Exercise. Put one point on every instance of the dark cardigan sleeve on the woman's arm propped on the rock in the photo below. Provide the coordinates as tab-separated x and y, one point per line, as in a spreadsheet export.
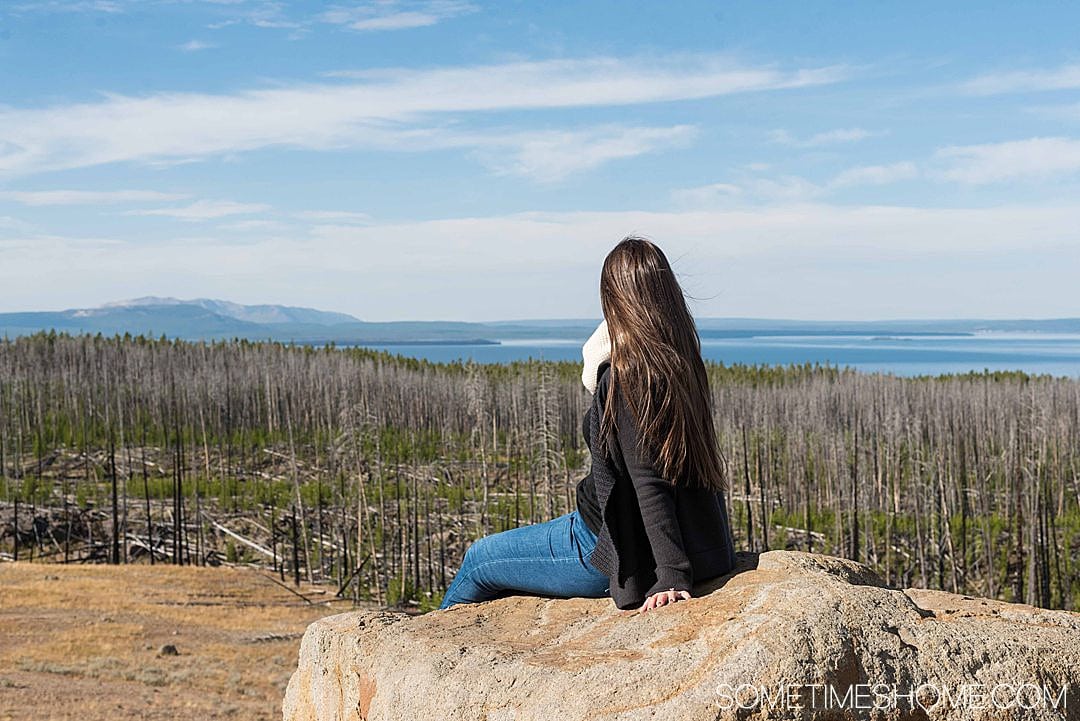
656	498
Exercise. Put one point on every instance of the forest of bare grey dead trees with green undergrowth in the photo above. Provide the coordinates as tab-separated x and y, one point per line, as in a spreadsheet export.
372	473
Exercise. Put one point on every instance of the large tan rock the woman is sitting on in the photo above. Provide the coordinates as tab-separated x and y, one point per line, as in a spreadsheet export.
784	619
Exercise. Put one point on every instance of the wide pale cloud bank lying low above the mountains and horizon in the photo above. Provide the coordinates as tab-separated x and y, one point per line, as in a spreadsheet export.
794	259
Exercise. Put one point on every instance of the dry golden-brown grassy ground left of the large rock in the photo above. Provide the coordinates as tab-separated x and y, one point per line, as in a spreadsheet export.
84	642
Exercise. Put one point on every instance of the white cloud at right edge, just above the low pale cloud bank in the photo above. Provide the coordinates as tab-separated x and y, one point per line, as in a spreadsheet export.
1034	159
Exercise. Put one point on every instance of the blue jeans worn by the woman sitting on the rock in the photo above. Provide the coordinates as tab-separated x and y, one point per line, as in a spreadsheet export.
541	560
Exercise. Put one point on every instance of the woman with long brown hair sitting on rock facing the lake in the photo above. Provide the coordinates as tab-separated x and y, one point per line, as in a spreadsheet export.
651	519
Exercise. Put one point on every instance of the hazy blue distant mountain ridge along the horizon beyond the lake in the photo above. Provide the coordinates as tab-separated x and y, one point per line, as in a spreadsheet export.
206	319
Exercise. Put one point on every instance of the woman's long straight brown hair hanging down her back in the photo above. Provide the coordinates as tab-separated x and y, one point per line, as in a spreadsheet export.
657	365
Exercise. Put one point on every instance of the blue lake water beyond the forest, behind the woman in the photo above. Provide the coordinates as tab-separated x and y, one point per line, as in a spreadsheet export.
1058	355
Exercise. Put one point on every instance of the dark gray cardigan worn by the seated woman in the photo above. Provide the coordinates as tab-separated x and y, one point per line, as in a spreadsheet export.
656	535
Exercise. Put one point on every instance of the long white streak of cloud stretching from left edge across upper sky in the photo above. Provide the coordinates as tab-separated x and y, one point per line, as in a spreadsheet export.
371	113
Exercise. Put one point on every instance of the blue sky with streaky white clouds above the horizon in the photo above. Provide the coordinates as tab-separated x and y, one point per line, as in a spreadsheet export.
477	161
